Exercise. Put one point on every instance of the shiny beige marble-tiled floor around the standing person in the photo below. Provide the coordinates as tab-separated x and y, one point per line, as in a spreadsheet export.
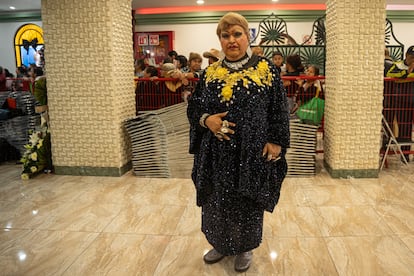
79	225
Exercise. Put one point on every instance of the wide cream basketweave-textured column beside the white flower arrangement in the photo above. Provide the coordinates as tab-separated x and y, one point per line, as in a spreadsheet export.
89	69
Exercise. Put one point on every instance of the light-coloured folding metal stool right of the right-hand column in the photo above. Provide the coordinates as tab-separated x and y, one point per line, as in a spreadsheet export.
393	143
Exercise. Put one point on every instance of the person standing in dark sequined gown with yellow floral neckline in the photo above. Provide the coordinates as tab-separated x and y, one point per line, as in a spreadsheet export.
239	132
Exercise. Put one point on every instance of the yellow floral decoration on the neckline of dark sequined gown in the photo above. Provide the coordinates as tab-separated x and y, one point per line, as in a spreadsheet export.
260	75
